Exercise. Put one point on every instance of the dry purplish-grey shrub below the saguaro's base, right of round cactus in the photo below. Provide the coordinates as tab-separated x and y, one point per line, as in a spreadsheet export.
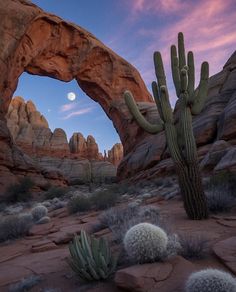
193	246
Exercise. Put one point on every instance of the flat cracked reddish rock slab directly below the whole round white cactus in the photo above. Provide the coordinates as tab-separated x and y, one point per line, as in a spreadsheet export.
162	277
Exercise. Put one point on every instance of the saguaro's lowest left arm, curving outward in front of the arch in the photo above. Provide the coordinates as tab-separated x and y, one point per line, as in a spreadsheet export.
143	123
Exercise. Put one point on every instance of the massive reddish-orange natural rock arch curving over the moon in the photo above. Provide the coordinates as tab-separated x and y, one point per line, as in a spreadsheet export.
43	44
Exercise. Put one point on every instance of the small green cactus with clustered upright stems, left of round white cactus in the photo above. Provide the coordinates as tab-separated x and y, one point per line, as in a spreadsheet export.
91	258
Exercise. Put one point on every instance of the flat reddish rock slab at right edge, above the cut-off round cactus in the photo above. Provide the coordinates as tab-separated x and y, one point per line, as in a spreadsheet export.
226	251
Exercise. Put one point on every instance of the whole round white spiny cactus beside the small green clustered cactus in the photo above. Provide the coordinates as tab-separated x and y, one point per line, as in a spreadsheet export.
145	242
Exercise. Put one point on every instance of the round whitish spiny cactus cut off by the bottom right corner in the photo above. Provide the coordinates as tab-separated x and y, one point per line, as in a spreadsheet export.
211	280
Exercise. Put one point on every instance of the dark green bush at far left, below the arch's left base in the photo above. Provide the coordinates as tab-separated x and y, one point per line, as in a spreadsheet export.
20	192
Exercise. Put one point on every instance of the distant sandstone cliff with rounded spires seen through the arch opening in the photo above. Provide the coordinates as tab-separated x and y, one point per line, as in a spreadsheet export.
77	162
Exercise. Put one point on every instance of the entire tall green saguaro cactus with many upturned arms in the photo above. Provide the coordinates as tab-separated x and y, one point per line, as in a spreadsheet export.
179	135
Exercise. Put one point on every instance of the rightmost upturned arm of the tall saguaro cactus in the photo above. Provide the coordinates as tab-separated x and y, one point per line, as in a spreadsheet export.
199	100
